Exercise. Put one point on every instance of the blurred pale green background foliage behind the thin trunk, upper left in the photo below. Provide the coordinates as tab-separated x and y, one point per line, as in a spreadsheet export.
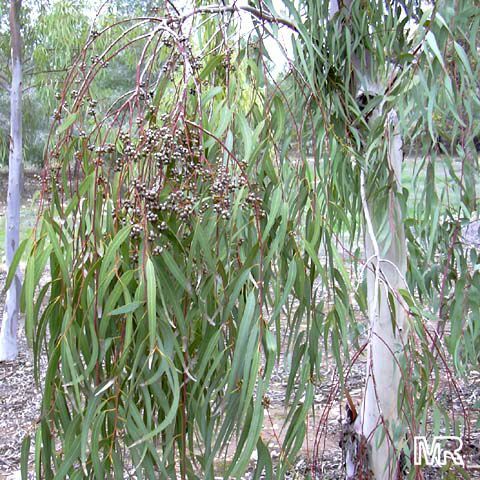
53	33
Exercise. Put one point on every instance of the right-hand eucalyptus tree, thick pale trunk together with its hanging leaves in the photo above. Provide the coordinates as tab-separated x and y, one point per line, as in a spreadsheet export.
362	64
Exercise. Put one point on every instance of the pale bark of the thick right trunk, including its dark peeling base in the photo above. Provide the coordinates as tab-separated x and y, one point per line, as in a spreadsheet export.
369	438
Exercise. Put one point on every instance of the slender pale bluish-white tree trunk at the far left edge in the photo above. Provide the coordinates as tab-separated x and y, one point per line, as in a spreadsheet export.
8	332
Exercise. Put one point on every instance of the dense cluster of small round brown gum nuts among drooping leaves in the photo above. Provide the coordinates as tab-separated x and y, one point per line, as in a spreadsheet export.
193	185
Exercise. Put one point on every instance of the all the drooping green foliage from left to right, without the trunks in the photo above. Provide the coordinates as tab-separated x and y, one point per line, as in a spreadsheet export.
211	217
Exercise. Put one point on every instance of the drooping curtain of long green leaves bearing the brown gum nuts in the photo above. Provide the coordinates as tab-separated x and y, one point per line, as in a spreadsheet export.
157	320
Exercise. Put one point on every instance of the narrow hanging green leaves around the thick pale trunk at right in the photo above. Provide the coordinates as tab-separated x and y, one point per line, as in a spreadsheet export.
419	63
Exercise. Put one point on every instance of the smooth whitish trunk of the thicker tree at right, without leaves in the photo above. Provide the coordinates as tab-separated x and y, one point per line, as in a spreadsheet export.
379	415
